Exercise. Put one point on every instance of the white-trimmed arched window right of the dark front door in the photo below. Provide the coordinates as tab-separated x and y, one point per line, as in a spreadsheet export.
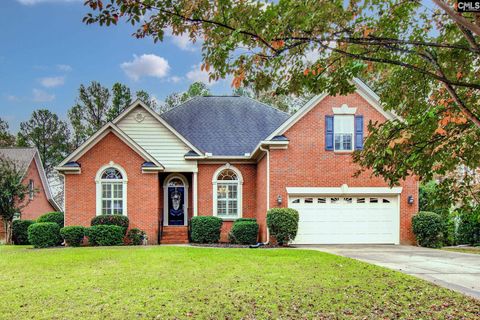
227	190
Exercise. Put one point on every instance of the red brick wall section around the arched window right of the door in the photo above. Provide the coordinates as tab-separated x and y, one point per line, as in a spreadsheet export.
205	192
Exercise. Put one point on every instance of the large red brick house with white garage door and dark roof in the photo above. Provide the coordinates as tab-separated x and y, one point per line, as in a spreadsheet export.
235	157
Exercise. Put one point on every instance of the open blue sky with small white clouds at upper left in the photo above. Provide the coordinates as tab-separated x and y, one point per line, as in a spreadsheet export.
46	52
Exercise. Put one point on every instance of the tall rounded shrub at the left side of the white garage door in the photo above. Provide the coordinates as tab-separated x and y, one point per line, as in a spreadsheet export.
283	224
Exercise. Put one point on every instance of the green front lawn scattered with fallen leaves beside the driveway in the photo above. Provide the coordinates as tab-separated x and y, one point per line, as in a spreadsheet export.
161	282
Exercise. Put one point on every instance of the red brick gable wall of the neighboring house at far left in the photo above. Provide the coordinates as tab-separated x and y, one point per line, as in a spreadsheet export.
39	205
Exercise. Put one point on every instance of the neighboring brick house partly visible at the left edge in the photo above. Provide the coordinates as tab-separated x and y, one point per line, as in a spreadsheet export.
40	198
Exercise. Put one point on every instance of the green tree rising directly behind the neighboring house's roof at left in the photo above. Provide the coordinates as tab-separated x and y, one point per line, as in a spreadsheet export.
48	134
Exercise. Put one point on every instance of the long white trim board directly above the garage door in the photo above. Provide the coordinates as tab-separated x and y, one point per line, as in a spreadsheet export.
305	191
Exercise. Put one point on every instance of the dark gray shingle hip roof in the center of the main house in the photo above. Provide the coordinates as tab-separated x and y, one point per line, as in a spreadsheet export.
225	125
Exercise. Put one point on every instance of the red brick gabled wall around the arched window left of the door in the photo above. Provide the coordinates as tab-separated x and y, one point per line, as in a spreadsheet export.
143	189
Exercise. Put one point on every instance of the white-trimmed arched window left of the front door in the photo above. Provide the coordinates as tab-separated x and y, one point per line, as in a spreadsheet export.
111	190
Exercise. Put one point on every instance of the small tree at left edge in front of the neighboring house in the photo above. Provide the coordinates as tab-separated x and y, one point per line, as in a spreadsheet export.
13	194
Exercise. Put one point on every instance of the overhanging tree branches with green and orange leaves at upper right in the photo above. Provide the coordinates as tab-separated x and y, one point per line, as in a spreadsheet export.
423	61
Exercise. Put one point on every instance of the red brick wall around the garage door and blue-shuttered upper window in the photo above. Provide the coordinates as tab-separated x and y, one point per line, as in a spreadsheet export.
306	163
